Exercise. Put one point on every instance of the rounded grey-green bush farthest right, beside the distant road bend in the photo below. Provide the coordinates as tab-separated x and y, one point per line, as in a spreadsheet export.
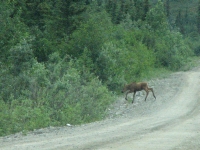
172	50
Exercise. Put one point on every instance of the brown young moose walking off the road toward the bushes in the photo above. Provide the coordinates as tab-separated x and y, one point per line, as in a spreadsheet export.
134	87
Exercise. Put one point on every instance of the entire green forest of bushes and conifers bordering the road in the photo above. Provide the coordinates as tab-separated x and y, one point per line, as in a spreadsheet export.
64	61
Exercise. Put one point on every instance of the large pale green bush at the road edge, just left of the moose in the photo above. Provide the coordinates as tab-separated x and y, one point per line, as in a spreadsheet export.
75	98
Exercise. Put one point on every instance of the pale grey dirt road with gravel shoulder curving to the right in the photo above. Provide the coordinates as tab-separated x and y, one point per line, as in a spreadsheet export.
172	121
